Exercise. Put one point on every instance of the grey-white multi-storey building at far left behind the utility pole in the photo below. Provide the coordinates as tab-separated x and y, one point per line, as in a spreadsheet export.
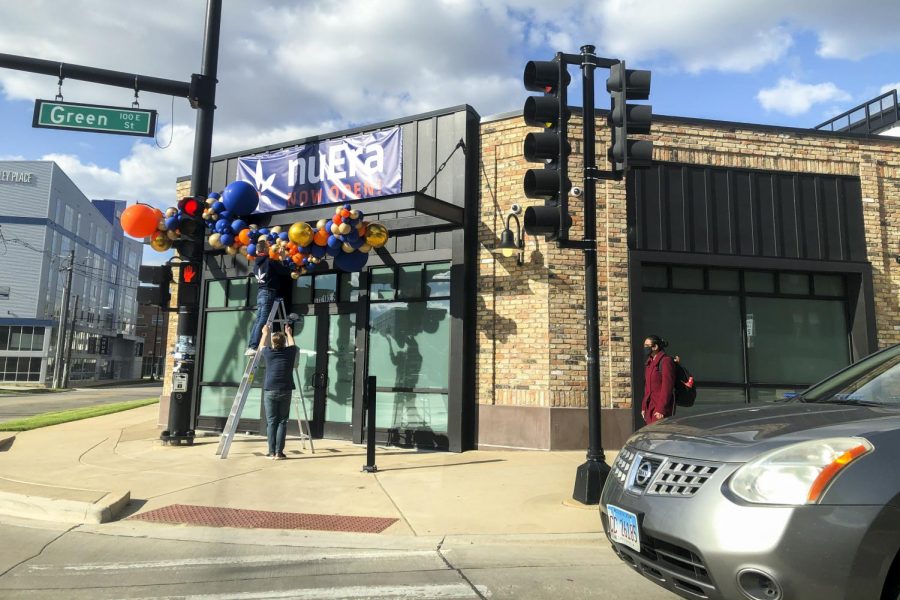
43	218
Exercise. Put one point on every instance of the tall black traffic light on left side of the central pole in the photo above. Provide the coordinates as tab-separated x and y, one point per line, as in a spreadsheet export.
550	146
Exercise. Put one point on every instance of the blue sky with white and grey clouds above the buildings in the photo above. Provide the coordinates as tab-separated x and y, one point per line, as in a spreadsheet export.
289	69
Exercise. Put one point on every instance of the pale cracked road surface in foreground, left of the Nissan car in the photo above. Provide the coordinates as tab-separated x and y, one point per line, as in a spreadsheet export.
149	561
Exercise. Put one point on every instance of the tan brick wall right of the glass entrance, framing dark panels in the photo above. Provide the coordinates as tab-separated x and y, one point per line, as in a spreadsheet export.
531	333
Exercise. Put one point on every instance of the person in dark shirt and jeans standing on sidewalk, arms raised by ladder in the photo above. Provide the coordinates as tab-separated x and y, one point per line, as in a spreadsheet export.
281	359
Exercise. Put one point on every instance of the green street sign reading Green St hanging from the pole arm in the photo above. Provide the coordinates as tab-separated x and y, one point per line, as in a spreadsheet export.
95	118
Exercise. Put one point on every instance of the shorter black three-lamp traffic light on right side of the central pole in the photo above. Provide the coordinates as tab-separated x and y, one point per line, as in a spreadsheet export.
628	119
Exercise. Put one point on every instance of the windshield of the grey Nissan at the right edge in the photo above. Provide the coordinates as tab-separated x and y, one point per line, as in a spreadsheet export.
874	380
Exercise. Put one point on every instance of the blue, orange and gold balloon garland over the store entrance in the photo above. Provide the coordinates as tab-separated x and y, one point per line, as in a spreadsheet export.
347	238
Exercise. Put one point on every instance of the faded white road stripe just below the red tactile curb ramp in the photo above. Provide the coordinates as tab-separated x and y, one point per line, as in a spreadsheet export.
239	560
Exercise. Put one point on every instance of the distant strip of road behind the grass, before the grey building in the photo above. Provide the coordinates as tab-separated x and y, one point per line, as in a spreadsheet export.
18	406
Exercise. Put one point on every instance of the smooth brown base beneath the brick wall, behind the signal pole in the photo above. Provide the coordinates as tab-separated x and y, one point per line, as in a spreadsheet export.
542	428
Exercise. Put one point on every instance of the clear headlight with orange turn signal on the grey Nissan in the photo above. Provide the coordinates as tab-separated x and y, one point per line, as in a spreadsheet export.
796	474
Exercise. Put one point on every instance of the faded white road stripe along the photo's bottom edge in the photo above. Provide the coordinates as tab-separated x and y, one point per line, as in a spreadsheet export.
375	592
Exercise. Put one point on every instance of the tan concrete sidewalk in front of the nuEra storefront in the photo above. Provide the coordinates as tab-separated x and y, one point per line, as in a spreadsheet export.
112	467
